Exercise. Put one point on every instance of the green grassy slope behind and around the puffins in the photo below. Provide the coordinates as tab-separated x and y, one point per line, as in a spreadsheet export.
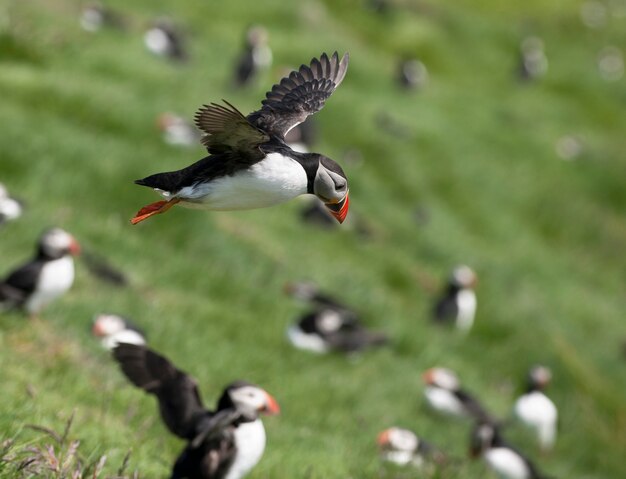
546	236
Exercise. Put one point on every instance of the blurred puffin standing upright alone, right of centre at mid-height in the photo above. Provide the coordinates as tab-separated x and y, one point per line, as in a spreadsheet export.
457	305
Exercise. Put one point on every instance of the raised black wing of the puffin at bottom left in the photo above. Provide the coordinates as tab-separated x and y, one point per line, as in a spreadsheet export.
179	400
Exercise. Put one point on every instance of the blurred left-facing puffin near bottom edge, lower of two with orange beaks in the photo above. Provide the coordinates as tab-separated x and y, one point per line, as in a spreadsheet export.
403	447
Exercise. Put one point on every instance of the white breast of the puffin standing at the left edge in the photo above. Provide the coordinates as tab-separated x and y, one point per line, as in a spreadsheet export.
56	278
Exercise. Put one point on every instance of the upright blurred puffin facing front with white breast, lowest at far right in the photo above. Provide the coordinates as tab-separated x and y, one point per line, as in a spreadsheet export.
536	410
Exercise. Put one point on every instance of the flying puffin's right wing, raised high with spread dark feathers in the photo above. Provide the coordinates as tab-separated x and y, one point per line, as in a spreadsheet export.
299	95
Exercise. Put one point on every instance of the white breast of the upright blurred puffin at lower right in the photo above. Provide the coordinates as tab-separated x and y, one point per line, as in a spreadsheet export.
538	412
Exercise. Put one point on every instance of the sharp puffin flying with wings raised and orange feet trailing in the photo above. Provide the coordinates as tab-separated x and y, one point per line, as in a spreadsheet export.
250	165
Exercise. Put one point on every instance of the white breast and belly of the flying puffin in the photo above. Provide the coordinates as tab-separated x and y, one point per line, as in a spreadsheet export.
273	180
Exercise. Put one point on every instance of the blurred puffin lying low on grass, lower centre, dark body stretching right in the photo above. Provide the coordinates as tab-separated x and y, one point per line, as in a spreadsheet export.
328	329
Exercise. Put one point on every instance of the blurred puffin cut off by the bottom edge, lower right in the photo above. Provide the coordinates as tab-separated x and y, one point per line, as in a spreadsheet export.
502	458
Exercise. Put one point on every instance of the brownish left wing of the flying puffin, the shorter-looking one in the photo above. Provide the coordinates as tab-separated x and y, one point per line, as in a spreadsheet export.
228	130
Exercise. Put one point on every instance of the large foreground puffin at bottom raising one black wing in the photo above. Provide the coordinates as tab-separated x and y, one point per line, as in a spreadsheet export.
222	444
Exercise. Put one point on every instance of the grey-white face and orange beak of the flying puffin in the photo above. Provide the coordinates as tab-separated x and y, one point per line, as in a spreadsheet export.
331	186
